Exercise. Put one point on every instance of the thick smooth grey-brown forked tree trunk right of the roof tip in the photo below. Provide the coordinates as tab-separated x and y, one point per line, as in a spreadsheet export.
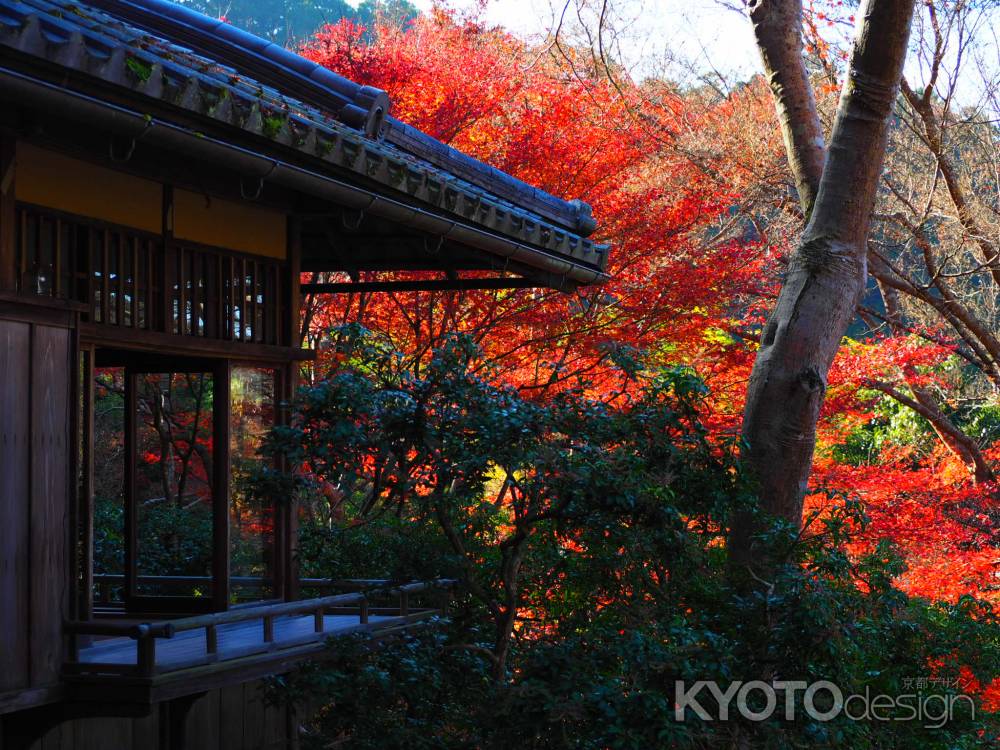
828	270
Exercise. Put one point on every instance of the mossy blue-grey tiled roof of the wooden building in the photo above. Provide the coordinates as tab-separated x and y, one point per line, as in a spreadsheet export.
91	41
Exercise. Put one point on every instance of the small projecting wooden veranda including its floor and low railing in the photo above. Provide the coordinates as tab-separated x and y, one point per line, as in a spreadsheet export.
147	662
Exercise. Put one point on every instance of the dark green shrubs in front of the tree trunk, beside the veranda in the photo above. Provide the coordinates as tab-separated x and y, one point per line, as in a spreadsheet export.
589	542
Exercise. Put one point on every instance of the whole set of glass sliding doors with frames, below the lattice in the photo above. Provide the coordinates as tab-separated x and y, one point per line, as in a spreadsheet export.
176	526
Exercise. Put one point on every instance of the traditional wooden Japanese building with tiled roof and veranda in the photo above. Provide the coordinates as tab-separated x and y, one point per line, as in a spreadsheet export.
164	181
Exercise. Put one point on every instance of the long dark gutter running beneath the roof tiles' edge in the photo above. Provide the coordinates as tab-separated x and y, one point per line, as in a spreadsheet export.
554	271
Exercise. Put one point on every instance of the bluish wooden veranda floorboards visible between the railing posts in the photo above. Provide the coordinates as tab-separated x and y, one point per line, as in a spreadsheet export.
234	640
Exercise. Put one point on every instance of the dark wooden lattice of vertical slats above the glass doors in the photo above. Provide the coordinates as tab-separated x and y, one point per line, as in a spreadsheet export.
130	279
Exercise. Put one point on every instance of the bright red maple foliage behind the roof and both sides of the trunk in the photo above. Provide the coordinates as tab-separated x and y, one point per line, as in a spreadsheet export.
659	201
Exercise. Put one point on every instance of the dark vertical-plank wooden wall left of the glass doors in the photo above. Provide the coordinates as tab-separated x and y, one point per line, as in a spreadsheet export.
35	494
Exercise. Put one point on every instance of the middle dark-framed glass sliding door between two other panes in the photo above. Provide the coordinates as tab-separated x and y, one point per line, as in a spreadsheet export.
174	510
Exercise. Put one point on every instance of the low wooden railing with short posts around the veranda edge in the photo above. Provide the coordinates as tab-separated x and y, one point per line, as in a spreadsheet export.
355	603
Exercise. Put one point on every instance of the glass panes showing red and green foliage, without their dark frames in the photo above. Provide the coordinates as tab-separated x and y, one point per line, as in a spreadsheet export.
174	449
